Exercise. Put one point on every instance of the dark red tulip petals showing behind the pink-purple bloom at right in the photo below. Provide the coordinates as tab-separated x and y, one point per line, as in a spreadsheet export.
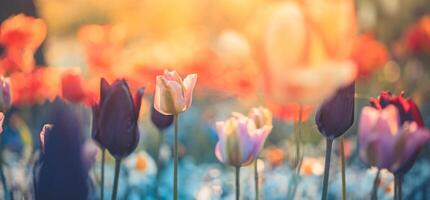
407	108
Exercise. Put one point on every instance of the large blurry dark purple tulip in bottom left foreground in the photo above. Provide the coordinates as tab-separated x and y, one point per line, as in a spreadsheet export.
63	141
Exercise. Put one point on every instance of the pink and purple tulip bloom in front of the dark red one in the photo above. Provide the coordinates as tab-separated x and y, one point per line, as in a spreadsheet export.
385	142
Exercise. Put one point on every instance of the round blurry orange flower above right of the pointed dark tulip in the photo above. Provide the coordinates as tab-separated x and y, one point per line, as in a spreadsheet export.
375	57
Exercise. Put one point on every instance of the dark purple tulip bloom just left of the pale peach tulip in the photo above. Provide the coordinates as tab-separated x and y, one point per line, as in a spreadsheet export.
115	118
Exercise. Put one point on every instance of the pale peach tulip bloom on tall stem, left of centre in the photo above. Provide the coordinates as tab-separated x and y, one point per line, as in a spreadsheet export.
172	94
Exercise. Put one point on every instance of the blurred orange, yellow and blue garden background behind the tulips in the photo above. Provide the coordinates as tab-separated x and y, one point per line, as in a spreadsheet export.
238	51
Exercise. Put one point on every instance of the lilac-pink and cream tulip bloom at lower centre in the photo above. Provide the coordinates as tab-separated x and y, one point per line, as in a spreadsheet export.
240	141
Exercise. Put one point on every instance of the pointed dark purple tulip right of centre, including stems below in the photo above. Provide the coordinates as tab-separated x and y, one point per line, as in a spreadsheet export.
334	117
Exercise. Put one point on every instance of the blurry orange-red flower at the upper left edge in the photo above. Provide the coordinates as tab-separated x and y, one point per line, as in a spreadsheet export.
20	36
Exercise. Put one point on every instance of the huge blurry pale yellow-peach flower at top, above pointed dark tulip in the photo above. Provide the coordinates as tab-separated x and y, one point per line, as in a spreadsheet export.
307	47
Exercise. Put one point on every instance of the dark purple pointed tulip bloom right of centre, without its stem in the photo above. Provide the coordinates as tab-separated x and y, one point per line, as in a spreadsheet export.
336	115
